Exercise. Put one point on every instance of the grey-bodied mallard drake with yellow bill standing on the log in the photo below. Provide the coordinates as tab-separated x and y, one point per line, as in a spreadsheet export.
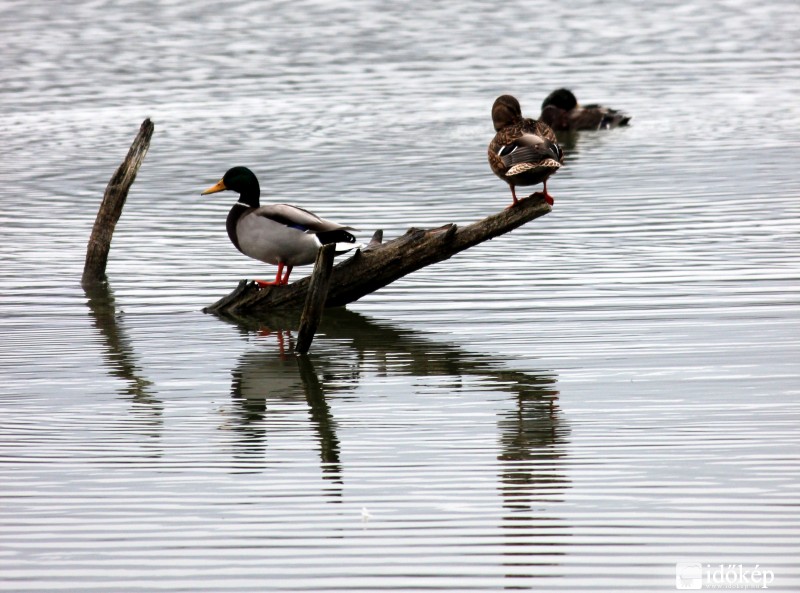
279	234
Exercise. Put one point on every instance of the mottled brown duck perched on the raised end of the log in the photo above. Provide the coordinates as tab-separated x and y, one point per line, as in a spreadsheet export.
524	151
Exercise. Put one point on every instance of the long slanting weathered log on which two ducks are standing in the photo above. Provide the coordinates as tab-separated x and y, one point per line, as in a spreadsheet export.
381	263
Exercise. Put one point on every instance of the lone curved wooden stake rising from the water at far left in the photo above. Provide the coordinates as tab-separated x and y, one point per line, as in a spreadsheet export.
94	268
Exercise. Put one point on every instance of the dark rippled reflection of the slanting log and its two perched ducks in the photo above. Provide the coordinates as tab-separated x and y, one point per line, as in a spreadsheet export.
532	433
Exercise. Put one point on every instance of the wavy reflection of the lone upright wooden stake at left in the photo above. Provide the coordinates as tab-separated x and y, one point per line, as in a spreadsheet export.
120	356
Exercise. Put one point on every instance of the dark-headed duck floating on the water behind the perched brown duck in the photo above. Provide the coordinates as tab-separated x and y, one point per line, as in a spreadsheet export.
561	111
